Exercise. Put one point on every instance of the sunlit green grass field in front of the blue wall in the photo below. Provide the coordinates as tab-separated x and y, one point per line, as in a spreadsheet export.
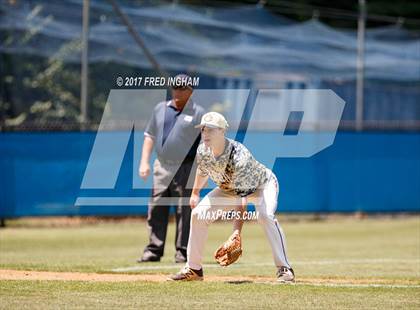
341	263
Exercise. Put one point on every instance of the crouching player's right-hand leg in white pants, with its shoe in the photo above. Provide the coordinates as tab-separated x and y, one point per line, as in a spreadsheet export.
266	205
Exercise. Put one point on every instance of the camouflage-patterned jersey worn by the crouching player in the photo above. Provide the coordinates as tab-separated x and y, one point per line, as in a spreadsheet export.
235	171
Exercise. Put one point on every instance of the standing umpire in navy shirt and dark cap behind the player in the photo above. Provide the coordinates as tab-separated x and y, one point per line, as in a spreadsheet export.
171	132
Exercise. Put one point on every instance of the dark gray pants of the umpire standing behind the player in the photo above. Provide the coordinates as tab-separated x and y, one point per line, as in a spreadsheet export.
170	187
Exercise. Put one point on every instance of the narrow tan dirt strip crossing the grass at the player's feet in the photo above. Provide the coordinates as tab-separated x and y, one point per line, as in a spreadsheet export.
8	274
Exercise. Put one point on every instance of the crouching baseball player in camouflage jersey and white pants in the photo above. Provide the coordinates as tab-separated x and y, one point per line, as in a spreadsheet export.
238	176
